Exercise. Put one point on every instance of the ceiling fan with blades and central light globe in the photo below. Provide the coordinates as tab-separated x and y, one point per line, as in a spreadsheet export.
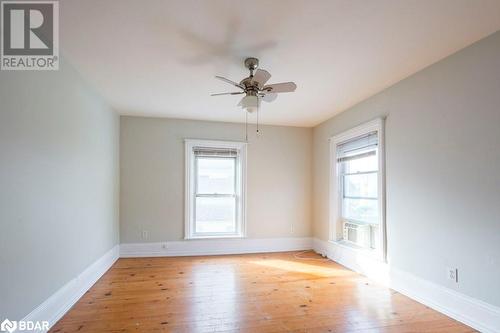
254	87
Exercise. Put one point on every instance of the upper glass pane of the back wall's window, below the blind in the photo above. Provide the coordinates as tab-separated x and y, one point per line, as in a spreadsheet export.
216	175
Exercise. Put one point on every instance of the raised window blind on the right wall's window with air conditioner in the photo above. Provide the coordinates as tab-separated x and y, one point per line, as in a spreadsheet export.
358	147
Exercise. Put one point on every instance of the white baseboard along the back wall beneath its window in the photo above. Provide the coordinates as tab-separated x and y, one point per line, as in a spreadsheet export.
214	247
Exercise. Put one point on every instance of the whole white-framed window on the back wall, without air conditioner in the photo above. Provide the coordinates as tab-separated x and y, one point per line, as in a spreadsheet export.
215	183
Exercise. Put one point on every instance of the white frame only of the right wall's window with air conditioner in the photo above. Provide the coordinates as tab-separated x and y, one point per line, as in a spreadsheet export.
335	225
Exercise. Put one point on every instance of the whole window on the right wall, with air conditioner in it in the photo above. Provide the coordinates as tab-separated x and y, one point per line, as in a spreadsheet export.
358	188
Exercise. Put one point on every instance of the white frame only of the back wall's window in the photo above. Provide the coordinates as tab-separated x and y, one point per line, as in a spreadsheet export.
190	183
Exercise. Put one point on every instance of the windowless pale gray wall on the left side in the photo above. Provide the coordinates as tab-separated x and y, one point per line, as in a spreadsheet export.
58	184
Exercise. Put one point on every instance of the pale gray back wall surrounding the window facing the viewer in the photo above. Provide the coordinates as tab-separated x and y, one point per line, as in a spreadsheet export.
279	177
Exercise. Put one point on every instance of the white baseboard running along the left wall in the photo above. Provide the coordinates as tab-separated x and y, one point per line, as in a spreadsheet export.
61	301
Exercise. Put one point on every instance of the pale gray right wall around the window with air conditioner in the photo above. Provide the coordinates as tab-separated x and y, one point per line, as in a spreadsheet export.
442	163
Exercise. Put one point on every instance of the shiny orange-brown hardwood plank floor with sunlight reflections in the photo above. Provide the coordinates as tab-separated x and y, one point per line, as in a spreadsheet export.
272	292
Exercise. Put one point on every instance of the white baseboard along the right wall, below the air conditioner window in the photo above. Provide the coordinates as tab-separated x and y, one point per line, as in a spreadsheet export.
475	313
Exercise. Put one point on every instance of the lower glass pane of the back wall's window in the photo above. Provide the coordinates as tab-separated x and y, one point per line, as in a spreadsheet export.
215	214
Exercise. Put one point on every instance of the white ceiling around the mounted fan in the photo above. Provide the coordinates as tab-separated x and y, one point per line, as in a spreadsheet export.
159	58
